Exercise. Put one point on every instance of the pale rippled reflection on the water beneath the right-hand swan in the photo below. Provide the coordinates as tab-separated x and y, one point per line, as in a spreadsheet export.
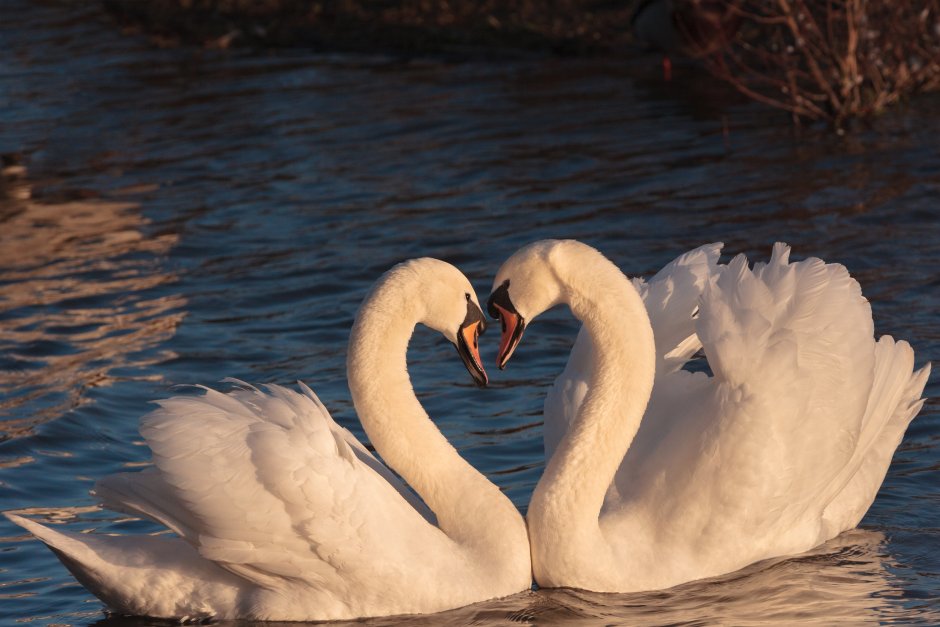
845	580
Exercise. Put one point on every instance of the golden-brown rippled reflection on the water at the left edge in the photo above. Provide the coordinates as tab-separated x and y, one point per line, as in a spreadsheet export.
77	300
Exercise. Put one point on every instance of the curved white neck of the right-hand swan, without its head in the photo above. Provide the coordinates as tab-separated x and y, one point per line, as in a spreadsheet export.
571	492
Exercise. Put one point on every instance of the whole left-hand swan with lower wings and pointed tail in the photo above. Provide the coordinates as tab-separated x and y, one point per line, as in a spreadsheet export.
281	514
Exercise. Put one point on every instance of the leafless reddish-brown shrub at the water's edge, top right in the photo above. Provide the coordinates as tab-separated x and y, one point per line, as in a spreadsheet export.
832	59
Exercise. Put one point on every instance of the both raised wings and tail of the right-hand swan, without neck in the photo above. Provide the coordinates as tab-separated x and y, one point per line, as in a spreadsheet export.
787	443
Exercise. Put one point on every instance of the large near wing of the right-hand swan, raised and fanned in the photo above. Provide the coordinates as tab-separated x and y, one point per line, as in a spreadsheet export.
755	446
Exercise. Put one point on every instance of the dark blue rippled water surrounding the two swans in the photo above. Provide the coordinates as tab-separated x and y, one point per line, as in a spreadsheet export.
200	214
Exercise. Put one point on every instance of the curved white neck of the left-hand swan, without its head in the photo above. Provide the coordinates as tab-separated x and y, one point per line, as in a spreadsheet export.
469	508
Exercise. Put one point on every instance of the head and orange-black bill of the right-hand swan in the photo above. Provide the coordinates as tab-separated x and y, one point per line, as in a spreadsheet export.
526	285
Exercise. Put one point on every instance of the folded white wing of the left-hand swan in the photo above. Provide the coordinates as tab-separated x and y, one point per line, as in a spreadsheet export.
268	486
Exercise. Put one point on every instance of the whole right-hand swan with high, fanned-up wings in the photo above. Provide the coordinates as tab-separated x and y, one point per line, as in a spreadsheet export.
666	477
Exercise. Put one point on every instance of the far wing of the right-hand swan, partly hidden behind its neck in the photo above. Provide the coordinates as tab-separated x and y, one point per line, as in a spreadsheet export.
672	299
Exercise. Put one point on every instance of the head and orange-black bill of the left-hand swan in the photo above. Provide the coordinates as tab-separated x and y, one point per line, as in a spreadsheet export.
449	305
